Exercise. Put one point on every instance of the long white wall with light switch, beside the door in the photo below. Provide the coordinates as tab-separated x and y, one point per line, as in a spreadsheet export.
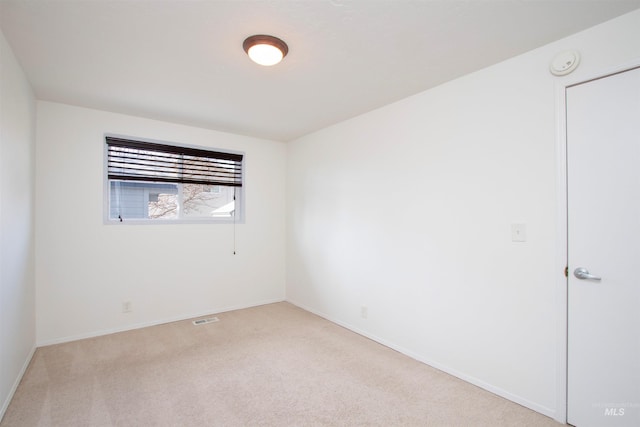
407	210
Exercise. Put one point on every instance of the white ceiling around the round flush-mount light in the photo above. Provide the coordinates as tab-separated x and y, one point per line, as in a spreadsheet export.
182	61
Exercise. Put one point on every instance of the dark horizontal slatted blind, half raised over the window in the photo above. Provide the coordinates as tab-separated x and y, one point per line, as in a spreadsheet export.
145	161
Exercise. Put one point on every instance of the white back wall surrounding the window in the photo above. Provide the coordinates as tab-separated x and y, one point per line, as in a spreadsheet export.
85	269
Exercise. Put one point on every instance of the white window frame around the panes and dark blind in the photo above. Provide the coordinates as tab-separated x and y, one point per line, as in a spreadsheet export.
237	218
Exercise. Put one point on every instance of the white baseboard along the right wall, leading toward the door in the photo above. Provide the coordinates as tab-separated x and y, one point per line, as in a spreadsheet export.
470	379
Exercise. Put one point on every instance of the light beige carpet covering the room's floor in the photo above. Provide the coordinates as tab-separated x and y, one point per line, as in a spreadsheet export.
274	365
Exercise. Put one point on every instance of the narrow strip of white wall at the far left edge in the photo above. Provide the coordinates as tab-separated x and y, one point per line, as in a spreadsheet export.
17	284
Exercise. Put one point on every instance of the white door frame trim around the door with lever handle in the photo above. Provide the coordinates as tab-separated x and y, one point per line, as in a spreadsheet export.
562	282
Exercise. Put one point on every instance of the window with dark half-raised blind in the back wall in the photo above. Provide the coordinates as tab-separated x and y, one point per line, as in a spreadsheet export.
151	181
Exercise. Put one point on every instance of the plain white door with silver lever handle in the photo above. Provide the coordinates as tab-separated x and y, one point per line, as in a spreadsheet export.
603	183
